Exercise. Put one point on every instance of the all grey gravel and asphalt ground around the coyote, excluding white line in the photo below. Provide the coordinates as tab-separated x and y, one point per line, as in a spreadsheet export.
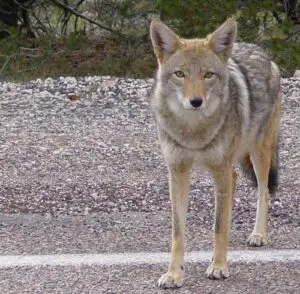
86	176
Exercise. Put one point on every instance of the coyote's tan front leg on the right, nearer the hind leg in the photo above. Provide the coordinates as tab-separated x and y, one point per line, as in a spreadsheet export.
225	178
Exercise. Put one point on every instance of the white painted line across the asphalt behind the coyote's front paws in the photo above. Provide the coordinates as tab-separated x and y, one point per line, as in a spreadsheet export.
7	261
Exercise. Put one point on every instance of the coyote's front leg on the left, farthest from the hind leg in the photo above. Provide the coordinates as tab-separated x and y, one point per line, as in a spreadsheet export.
179	188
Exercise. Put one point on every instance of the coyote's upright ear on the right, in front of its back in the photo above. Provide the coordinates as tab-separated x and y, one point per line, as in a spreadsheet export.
222	39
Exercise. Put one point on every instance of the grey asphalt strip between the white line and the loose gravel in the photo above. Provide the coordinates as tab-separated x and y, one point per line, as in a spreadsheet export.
122	232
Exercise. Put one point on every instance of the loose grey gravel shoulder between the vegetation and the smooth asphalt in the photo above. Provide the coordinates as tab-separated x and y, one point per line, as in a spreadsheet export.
100	153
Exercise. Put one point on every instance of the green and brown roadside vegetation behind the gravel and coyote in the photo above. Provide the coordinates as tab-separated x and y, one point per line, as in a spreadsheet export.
52	38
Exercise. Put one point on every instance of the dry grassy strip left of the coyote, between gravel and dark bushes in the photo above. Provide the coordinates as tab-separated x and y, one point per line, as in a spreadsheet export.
48	57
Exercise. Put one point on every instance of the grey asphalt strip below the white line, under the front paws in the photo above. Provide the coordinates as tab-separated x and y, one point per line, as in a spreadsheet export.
279	278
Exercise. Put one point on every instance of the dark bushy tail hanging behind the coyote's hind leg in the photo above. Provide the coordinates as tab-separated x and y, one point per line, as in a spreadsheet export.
248	170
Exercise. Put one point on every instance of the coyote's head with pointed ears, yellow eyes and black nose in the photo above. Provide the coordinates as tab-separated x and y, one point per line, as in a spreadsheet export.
193	71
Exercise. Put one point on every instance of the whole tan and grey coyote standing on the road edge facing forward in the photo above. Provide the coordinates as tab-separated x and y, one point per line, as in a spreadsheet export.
216	103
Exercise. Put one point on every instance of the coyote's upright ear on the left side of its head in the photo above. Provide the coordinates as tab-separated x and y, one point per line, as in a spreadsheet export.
165	42
